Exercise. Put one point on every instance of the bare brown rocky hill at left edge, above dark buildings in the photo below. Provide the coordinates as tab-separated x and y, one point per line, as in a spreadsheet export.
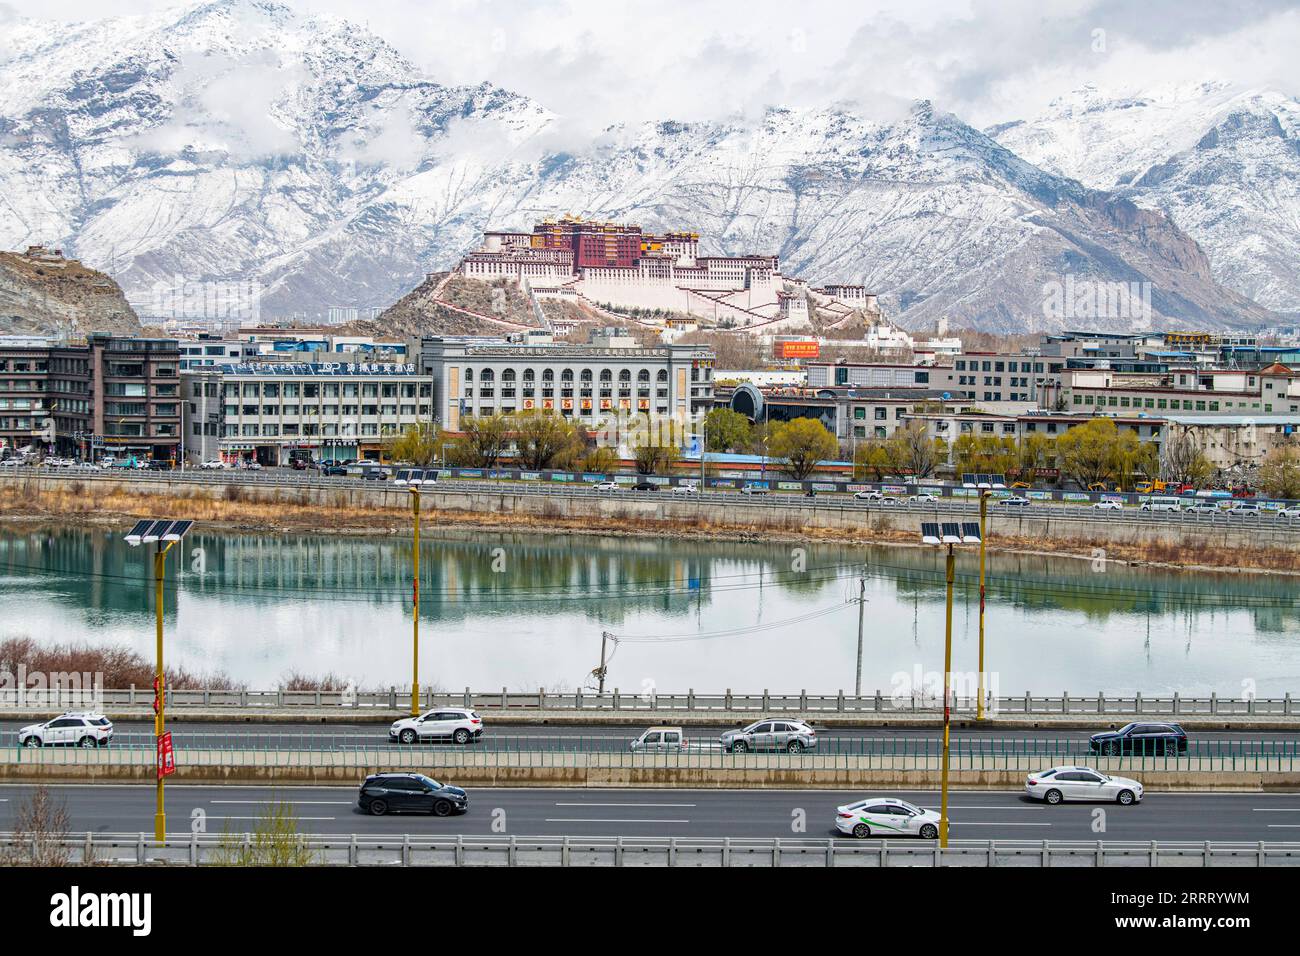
42	293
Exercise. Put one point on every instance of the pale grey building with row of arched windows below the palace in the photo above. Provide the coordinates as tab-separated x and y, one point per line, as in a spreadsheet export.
610	375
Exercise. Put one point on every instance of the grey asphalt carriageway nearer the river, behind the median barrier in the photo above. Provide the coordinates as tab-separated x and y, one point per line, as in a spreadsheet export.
237	736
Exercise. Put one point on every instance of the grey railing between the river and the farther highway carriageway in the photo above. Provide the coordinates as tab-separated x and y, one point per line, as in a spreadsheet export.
691	703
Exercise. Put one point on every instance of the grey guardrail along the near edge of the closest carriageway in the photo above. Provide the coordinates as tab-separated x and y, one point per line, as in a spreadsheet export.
353	850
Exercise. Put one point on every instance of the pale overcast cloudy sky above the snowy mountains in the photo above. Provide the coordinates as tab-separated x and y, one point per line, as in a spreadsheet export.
985	60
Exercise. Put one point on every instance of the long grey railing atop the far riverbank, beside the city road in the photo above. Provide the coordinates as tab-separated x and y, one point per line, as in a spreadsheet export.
775	500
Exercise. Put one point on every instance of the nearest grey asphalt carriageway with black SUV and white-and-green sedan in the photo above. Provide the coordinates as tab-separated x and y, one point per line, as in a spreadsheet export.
683	814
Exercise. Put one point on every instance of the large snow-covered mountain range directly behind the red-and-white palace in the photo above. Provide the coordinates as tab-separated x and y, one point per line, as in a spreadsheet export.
241	140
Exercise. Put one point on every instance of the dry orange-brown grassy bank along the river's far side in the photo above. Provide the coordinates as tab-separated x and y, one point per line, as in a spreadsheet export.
288	511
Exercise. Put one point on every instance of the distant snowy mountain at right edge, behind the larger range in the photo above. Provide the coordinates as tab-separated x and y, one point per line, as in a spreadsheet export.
1221	161
